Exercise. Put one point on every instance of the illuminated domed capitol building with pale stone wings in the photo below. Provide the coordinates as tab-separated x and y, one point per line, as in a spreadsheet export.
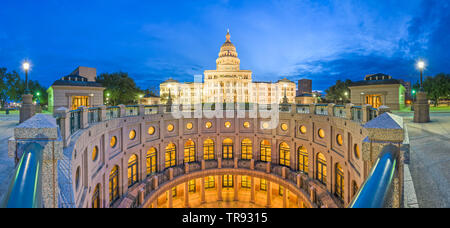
228	84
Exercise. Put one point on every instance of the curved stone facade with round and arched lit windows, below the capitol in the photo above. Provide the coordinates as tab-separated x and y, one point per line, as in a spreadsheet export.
335	170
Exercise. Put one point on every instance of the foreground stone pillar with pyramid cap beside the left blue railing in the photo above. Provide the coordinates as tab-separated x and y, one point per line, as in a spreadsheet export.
40	135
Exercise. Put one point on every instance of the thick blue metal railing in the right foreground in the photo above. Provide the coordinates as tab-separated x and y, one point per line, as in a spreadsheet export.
375	191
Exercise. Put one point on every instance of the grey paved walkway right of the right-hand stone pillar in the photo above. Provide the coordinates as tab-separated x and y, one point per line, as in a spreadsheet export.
430	159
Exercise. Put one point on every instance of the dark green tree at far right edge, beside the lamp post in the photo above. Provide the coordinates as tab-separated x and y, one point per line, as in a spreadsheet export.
437	87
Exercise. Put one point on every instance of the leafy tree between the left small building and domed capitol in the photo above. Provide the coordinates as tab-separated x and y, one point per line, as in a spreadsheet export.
121	88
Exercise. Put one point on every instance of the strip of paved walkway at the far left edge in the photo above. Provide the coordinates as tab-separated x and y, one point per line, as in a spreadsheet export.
7	125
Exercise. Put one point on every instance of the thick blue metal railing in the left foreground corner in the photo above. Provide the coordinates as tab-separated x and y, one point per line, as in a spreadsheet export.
25	190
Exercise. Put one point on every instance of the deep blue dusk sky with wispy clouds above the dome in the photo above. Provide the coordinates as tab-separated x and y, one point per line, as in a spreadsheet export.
156	40
